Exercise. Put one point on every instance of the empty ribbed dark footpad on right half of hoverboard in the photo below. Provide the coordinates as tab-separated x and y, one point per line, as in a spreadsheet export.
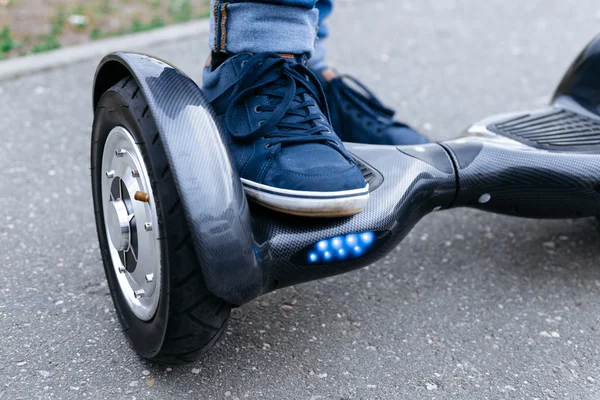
554	129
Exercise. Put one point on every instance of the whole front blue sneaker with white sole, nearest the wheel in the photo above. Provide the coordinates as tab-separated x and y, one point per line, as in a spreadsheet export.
285	149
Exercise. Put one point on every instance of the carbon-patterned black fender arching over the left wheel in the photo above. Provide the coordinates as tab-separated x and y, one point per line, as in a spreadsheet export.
205	175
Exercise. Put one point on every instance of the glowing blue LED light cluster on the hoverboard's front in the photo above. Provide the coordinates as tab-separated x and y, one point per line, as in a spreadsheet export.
341	248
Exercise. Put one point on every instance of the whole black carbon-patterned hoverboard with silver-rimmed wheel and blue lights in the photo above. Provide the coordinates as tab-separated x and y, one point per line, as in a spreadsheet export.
181	245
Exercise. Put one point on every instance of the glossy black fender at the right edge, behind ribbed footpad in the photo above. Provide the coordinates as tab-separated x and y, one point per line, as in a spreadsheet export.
579	89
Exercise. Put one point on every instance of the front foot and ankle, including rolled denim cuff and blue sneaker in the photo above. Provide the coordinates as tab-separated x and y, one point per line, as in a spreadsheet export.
274	109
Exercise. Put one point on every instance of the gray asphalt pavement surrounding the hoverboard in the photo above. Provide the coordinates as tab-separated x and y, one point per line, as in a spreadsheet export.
470	306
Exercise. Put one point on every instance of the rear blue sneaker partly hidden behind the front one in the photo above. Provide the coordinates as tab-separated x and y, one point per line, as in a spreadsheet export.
360	117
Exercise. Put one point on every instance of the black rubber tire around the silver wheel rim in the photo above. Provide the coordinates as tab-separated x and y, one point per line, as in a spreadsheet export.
189	319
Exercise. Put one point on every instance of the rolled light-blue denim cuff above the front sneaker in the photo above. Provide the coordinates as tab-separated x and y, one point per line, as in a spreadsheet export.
257	27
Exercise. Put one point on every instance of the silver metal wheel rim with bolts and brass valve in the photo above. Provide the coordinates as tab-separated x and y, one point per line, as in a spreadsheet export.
131	223
